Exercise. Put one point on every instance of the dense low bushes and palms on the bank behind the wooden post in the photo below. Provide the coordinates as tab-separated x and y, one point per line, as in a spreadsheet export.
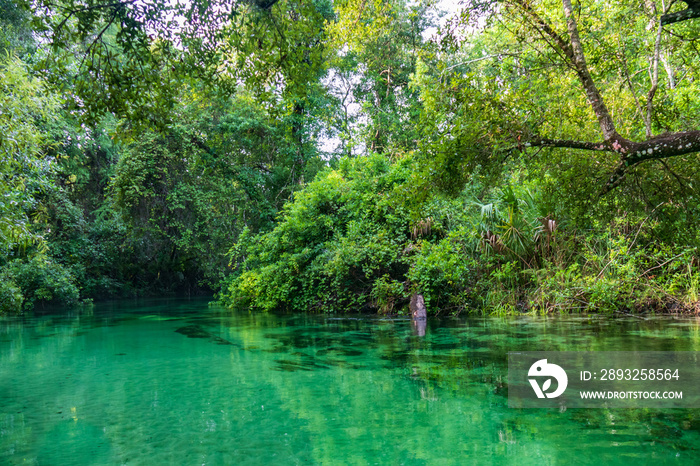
353	239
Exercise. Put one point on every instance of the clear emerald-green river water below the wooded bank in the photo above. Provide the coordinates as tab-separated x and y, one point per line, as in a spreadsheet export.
178	382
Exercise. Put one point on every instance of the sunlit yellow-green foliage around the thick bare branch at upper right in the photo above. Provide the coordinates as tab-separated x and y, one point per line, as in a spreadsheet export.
508	83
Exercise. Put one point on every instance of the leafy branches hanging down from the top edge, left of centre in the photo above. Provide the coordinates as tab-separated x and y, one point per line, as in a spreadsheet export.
130	58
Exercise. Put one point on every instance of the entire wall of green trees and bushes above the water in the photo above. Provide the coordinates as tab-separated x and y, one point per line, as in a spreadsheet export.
506	157
